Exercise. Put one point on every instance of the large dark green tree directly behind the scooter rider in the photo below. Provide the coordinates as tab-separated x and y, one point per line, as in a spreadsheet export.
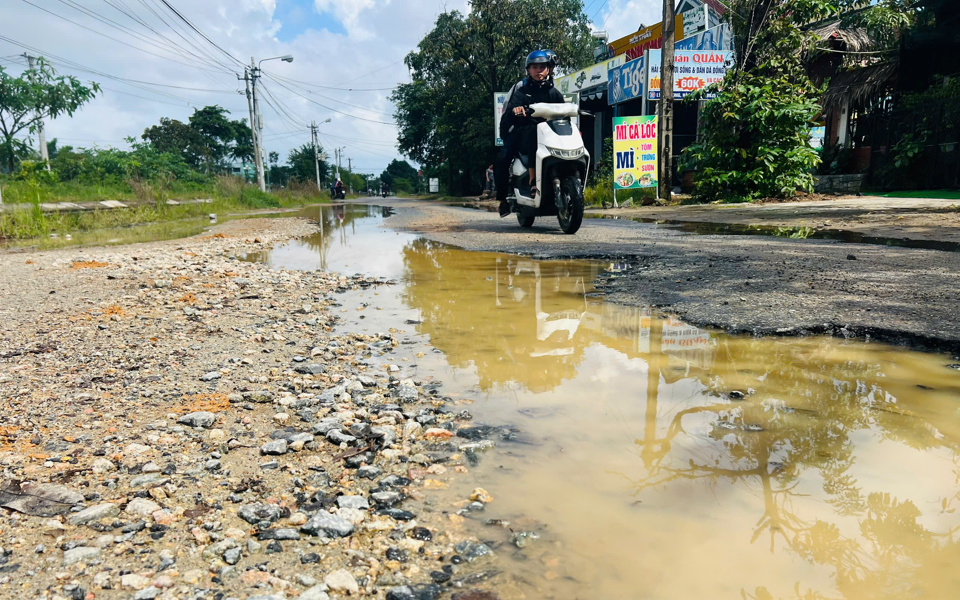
444	114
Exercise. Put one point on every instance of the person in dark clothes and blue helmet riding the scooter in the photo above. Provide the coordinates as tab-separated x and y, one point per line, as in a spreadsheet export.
518	129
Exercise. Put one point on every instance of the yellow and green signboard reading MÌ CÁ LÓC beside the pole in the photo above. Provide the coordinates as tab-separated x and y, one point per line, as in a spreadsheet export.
635	152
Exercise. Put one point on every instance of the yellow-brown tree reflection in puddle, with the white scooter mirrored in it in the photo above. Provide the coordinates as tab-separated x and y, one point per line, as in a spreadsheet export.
489	317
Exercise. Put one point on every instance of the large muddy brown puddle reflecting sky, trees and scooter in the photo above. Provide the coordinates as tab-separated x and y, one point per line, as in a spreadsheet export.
658	460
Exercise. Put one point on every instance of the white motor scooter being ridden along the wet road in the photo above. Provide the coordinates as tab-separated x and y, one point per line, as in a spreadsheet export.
562	164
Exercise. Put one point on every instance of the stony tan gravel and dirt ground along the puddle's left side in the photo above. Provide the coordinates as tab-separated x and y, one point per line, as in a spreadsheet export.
178	423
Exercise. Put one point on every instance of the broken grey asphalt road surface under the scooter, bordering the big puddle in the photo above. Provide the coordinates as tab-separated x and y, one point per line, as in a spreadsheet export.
743	284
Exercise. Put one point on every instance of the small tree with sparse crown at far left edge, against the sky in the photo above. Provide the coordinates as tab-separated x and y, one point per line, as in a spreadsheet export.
37	94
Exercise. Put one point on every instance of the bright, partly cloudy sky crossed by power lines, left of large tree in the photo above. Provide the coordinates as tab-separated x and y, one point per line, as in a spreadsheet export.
243	28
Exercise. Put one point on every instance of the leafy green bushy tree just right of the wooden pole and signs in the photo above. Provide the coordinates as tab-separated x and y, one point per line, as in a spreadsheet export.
754	138
